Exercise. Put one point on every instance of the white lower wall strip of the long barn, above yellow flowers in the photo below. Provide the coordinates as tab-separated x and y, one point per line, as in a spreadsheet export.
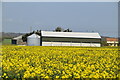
70	44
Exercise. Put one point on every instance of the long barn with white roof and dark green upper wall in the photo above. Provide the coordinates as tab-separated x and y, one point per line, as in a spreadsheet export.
49	38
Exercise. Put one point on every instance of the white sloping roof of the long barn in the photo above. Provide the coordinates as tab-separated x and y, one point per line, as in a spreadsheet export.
70	34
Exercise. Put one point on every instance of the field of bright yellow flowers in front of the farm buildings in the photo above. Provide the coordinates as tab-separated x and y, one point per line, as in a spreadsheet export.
21	62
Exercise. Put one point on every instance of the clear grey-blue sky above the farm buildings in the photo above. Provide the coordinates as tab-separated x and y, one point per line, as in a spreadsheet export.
100	17
